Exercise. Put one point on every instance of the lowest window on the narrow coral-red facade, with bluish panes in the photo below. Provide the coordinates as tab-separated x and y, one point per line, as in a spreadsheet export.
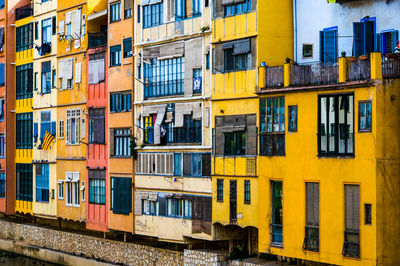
97	187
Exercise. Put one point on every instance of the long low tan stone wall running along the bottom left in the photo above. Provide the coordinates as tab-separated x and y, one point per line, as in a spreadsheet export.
92	247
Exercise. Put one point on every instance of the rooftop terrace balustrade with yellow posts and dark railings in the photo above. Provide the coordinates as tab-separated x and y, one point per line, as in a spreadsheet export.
347	70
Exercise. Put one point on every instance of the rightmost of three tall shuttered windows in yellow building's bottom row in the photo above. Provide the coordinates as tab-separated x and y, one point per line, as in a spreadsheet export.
351	245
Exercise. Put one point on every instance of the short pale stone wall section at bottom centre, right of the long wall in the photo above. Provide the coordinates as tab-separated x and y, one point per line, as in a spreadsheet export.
203	257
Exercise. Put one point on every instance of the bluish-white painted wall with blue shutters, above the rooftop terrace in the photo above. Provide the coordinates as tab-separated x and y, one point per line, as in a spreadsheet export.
315	15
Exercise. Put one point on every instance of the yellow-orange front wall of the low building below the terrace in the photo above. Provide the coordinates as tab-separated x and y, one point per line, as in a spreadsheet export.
301	164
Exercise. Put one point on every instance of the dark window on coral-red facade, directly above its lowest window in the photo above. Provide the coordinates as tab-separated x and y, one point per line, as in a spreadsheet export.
97	126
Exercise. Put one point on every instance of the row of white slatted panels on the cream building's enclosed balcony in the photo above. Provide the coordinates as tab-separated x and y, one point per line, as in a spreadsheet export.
155	163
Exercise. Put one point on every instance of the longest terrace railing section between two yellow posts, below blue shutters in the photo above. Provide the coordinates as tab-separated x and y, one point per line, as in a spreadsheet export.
314	74
